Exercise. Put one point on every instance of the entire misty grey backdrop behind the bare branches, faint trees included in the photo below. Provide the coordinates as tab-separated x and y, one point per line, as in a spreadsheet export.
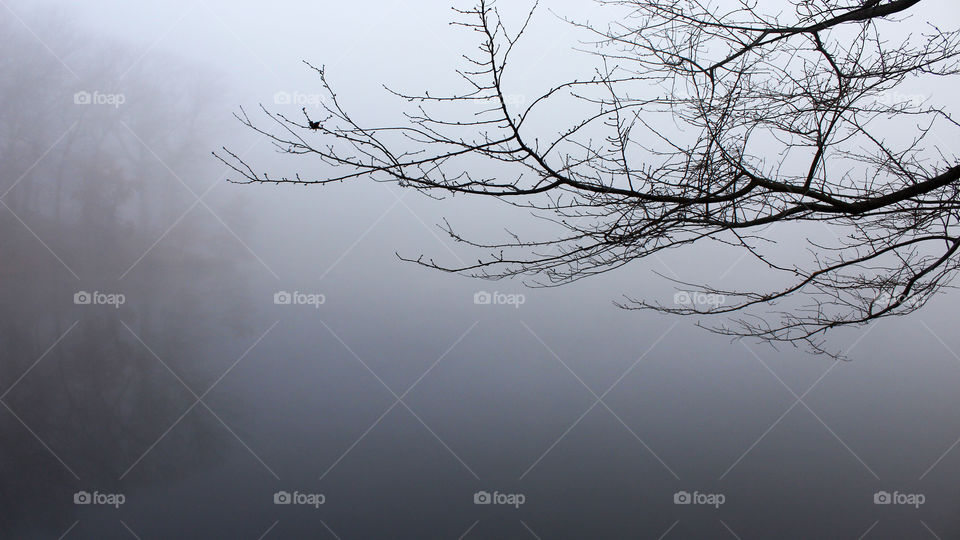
199	398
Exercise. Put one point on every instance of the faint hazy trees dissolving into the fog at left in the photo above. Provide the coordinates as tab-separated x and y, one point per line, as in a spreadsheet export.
85	191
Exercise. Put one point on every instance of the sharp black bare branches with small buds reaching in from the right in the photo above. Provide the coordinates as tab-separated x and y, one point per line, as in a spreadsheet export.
701	123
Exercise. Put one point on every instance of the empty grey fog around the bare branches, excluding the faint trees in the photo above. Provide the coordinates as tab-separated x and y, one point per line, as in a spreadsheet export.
511	403
